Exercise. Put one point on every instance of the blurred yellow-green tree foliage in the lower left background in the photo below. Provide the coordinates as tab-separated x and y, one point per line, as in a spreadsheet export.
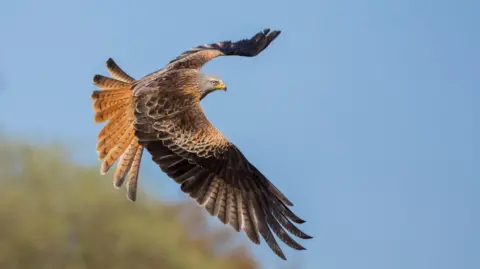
55	214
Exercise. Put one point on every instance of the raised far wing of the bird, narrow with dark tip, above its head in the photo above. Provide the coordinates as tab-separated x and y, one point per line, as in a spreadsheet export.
196	57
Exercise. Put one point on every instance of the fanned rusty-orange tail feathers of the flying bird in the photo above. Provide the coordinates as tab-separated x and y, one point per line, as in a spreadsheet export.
113	103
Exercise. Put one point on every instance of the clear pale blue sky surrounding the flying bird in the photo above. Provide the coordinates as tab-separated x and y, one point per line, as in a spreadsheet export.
365	113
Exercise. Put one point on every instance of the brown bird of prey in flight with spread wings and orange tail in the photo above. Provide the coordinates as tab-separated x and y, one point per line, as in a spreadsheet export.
161	112
